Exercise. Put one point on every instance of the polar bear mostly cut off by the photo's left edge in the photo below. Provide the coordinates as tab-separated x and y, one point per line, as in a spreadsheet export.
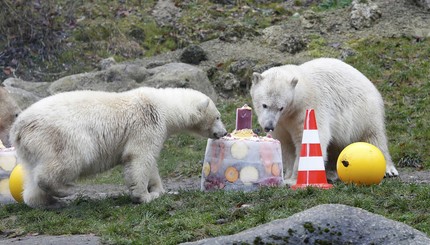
9	110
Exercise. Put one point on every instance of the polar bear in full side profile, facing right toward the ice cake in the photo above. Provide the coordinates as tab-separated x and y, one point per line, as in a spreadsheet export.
74	134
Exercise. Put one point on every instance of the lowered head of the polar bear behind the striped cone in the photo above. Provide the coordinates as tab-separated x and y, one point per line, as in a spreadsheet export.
272	95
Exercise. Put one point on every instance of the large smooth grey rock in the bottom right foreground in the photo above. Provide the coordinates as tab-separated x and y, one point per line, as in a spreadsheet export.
327	224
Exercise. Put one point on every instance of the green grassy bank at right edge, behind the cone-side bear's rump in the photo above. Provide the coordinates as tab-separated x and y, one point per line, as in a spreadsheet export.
400	67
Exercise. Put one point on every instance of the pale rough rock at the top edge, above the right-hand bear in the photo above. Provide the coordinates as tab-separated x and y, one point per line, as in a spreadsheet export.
364	14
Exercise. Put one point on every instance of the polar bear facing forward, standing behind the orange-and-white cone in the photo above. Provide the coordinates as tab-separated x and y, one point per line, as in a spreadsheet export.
348	108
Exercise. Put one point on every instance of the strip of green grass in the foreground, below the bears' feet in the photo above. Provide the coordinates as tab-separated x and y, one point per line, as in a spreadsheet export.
194	215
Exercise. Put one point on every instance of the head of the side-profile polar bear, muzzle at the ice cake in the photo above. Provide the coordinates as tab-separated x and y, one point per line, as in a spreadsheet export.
209	122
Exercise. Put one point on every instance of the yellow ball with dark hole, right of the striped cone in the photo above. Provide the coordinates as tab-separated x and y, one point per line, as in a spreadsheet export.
361	163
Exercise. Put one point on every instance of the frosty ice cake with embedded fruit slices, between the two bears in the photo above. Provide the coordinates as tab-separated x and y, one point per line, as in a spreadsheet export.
242	160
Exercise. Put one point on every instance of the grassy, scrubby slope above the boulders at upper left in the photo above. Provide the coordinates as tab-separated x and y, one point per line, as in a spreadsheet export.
46	40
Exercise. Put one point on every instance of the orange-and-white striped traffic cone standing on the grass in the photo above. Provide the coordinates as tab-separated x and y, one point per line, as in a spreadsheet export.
311	170
